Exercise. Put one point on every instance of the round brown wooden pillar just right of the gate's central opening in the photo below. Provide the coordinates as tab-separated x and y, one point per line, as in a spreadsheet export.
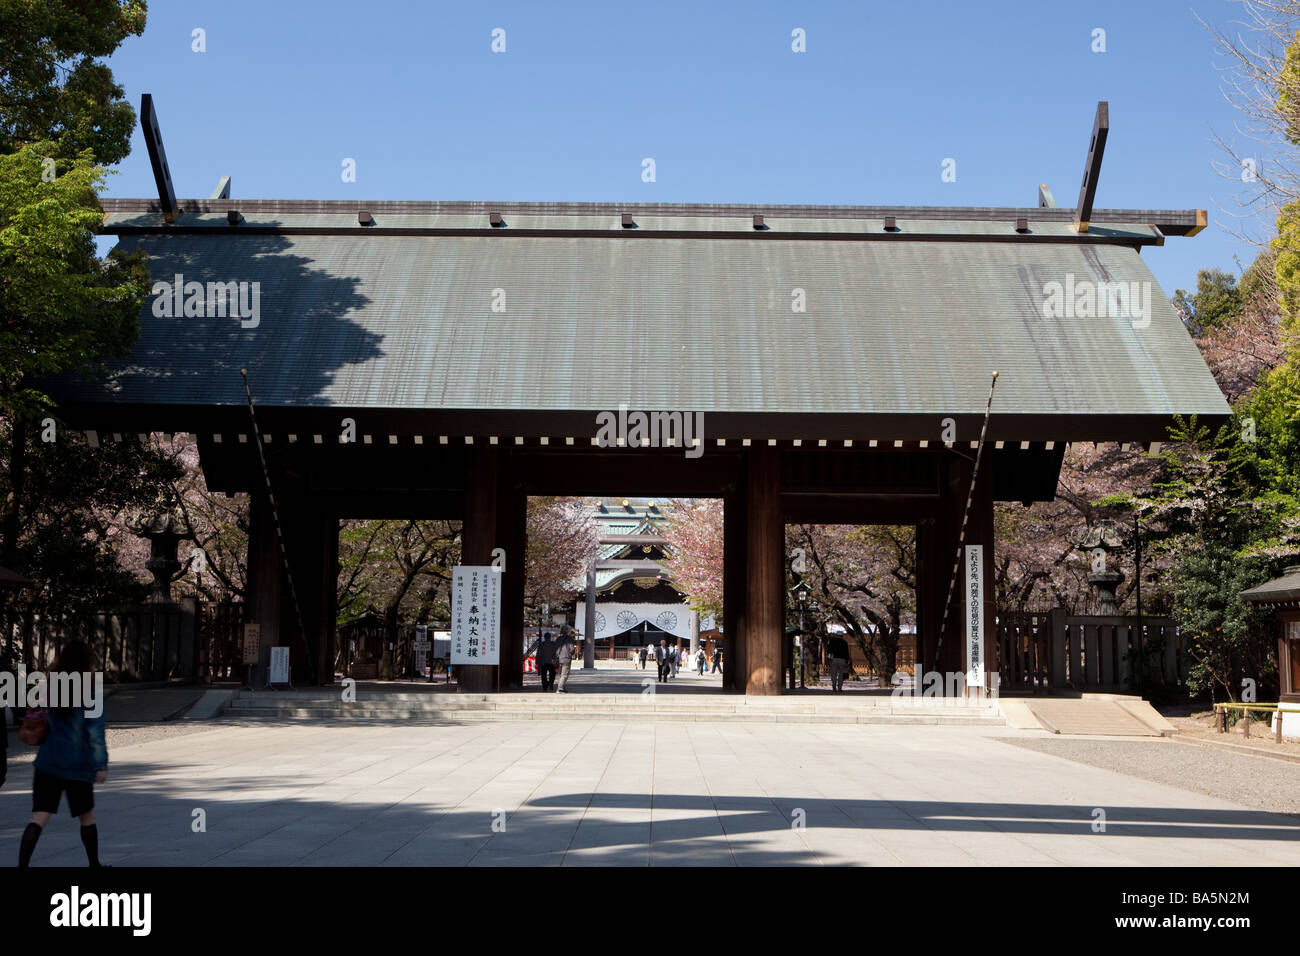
766	586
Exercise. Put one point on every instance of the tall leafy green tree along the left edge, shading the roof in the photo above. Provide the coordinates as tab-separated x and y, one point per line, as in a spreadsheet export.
63	309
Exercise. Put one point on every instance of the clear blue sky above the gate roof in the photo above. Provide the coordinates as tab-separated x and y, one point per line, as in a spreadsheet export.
713	93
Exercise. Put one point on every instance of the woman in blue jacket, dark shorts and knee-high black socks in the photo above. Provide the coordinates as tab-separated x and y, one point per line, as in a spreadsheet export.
72	760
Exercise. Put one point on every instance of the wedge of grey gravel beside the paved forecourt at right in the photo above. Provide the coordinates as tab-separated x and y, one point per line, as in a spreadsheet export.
1260	784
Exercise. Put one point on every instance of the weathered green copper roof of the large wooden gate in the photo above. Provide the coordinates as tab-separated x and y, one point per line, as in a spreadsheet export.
898	326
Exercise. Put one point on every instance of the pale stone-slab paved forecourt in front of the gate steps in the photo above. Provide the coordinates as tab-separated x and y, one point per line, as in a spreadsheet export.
617	793
